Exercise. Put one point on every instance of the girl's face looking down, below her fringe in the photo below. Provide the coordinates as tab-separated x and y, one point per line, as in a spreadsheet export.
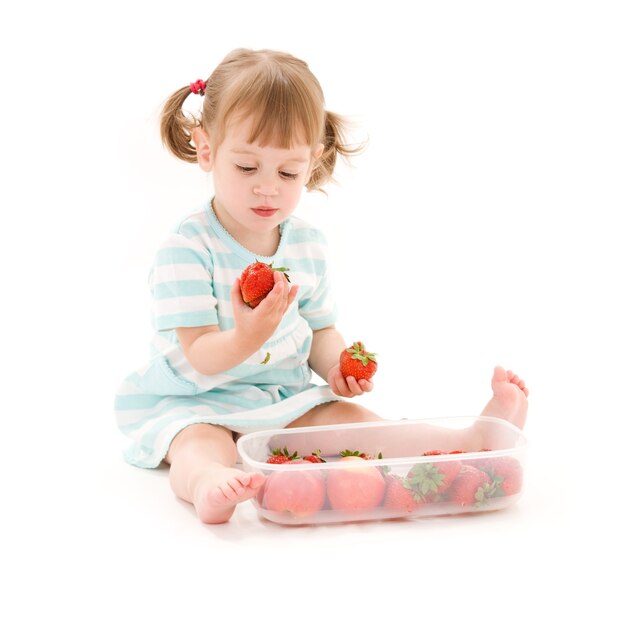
256	188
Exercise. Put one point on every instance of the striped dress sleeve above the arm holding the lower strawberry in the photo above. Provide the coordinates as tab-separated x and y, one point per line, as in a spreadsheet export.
316	304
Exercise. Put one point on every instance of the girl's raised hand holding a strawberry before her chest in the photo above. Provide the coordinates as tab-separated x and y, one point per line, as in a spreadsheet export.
256	326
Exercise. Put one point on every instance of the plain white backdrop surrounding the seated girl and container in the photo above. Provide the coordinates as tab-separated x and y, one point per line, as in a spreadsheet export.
481	226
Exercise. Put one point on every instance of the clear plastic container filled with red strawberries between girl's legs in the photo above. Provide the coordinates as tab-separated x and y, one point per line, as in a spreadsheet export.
408	468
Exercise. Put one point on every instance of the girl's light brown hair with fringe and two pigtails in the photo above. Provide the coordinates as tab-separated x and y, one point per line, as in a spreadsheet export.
279	92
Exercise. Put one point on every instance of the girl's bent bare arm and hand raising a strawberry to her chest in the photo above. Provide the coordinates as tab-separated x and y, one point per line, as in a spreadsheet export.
210	350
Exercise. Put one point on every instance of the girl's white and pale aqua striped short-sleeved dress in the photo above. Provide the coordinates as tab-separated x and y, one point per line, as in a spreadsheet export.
190	281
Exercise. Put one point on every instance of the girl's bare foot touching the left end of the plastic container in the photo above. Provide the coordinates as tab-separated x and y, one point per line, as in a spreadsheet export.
219	490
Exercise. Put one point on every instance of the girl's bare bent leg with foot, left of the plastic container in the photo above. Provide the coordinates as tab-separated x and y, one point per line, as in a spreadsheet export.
201	458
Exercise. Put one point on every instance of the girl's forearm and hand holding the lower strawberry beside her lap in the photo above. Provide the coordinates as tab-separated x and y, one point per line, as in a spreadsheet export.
326	349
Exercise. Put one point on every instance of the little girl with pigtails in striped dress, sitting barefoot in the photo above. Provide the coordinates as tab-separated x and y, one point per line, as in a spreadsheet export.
265	135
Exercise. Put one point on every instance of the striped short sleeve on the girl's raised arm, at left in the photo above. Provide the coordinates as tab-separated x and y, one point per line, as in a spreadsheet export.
181	284
